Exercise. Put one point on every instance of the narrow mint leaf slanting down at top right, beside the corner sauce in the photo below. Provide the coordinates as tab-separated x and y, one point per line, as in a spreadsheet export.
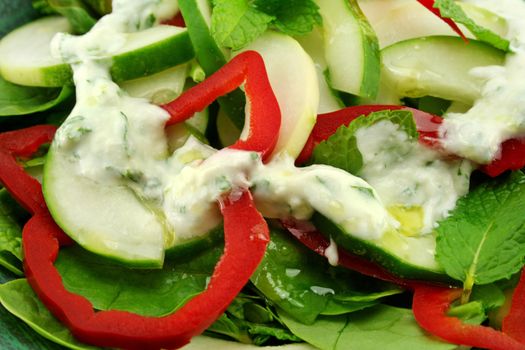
449	9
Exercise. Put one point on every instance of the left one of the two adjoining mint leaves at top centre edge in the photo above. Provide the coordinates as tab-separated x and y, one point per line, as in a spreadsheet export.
235	23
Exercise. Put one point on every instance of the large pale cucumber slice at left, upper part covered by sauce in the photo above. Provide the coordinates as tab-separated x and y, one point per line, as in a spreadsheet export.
106	220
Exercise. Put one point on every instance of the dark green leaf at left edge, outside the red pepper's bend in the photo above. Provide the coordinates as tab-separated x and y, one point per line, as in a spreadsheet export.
10	234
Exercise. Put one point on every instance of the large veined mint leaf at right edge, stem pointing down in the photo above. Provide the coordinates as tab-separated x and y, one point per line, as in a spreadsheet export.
483	240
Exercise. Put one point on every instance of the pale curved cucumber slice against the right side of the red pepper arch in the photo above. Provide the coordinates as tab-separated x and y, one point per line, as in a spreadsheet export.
294	81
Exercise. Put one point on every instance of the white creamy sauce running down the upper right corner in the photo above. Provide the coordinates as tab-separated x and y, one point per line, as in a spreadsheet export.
500	112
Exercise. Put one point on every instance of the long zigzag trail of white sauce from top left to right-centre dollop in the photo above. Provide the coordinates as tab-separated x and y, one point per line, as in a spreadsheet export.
116	140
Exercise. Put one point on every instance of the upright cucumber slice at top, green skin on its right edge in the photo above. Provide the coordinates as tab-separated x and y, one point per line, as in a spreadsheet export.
352	52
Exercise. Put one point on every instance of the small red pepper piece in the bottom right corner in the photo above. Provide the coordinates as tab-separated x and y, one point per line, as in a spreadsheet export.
514	322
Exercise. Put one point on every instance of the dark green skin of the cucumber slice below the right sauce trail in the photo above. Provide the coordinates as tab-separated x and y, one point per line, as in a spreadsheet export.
378	255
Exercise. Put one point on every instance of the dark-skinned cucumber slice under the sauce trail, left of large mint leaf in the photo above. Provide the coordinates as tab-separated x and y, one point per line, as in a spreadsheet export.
407	257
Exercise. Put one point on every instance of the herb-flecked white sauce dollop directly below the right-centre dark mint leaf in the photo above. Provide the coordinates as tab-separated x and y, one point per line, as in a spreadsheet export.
407	174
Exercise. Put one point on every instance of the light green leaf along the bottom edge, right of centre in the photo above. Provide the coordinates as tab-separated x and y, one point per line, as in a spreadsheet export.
380	327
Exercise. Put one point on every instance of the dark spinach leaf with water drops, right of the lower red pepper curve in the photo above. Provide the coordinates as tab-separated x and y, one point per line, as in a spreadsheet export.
303	283
